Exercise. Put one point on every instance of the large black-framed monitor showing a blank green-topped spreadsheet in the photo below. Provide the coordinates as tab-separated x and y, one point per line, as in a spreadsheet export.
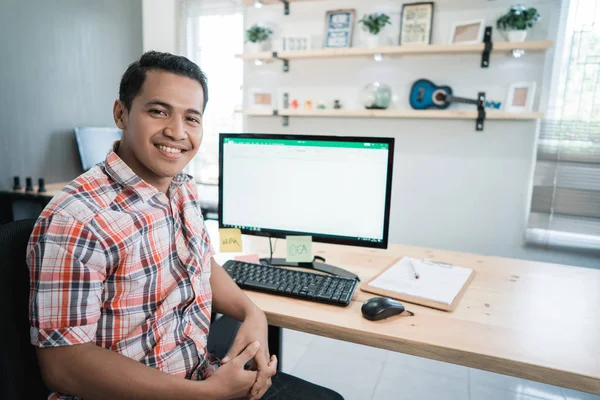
335	189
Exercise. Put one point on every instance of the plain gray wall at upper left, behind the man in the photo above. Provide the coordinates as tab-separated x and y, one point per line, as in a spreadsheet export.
60	66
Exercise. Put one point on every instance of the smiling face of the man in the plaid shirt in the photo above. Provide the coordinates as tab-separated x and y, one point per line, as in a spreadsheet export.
163	130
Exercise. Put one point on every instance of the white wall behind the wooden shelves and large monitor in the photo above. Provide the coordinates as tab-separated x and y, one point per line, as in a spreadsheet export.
453	188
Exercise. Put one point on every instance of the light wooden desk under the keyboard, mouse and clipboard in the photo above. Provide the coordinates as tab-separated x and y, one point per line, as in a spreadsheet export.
533	320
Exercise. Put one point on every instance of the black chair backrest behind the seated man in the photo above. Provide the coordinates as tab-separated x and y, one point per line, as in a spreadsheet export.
20	376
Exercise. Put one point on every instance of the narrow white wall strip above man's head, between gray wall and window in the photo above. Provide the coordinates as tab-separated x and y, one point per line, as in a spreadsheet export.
160	25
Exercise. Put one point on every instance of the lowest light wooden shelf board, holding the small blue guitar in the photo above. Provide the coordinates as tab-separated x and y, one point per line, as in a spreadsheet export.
423	114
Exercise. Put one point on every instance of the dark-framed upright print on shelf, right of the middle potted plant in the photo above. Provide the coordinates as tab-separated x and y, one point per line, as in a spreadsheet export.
416	22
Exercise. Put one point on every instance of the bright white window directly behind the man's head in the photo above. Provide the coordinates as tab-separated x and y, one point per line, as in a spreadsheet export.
213	34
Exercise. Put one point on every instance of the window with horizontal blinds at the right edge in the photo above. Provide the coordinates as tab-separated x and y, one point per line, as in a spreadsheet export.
565	204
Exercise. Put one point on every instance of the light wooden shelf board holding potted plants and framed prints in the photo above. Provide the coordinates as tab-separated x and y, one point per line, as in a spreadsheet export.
539	45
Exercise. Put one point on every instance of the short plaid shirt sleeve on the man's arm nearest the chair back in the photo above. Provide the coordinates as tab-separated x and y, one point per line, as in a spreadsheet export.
67	268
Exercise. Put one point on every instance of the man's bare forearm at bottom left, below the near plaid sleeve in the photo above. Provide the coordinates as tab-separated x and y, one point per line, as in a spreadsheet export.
92	372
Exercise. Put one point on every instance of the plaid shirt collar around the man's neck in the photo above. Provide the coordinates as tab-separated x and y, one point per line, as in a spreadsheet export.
117	169
